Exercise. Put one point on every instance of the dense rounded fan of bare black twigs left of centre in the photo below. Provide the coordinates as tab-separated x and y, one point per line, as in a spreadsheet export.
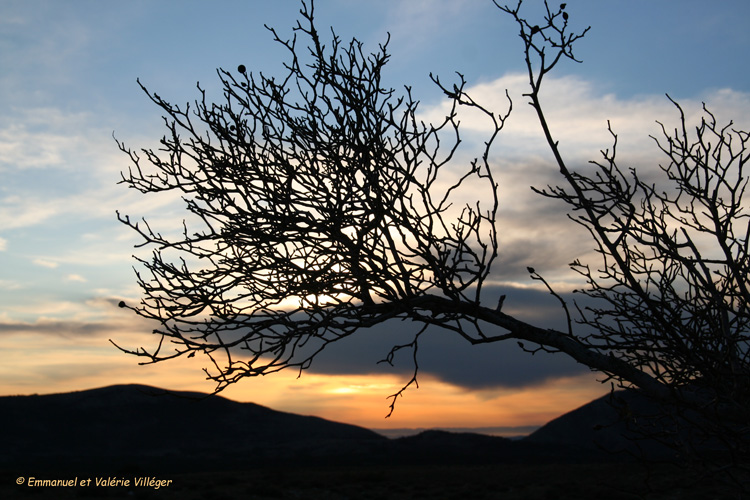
324	207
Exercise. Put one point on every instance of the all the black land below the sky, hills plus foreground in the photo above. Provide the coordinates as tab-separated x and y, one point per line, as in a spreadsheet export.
212	447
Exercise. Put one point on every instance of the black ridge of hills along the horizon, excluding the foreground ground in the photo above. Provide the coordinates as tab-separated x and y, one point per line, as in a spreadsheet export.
141	426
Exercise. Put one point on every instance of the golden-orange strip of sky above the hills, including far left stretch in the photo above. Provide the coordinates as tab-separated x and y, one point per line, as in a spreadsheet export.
355	399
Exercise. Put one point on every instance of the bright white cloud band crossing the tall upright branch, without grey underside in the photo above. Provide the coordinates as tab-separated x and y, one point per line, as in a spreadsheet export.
577	113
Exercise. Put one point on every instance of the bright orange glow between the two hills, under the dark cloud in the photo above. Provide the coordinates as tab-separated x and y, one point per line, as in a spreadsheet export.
362	400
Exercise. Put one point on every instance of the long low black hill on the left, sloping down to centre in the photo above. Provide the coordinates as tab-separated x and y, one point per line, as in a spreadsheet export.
135	423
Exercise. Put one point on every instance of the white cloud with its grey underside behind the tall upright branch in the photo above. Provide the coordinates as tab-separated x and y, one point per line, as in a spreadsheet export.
534	231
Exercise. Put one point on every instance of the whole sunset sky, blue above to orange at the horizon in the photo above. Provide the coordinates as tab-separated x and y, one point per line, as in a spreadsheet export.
68	86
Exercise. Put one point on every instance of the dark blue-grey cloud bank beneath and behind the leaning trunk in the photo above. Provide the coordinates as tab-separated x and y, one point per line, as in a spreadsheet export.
448	357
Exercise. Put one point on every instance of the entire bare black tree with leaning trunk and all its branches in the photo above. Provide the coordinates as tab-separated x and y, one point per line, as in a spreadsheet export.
325	206
